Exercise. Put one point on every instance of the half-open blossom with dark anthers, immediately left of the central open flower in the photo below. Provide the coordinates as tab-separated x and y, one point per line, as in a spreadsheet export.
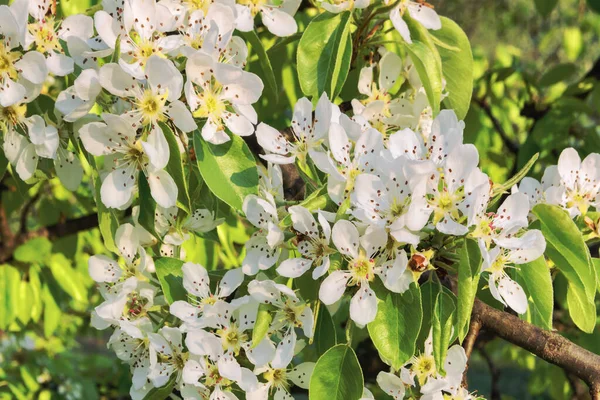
313	245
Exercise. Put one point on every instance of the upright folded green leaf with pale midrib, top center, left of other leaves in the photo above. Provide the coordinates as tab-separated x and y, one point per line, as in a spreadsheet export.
324	54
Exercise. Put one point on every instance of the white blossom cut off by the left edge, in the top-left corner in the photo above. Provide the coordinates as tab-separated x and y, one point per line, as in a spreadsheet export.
21	75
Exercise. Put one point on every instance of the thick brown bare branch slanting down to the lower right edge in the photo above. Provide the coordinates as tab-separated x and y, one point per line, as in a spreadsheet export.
549	346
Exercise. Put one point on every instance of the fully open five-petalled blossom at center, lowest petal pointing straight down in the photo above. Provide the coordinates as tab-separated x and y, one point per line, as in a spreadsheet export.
363	265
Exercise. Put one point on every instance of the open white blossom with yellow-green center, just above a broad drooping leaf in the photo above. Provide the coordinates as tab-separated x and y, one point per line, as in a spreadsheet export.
222	94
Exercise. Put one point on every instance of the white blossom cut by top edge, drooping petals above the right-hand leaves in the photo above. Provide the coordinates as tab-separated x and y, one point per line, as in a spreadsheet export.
420	11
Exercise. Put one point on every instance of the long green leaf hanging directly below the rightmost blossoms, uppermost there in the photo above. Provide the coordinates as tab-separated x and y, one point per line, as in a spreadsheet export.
566	247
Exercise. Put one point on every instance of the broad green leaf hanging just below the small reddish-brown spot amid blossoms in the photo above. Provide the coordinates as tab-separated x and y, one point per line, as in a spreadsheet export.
397	324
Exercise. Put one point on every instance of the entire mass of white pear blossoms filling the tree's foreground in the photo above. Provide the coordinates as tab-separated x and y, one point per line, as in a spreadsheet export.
393	194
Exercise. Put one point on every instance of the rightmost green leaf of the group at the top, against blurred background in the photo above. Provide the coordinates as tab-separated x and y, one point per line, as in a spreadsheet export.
457	66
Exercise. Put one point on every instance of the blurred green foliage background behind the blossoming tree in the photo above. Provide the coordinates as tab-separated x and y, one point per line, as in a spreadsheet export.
536	69
